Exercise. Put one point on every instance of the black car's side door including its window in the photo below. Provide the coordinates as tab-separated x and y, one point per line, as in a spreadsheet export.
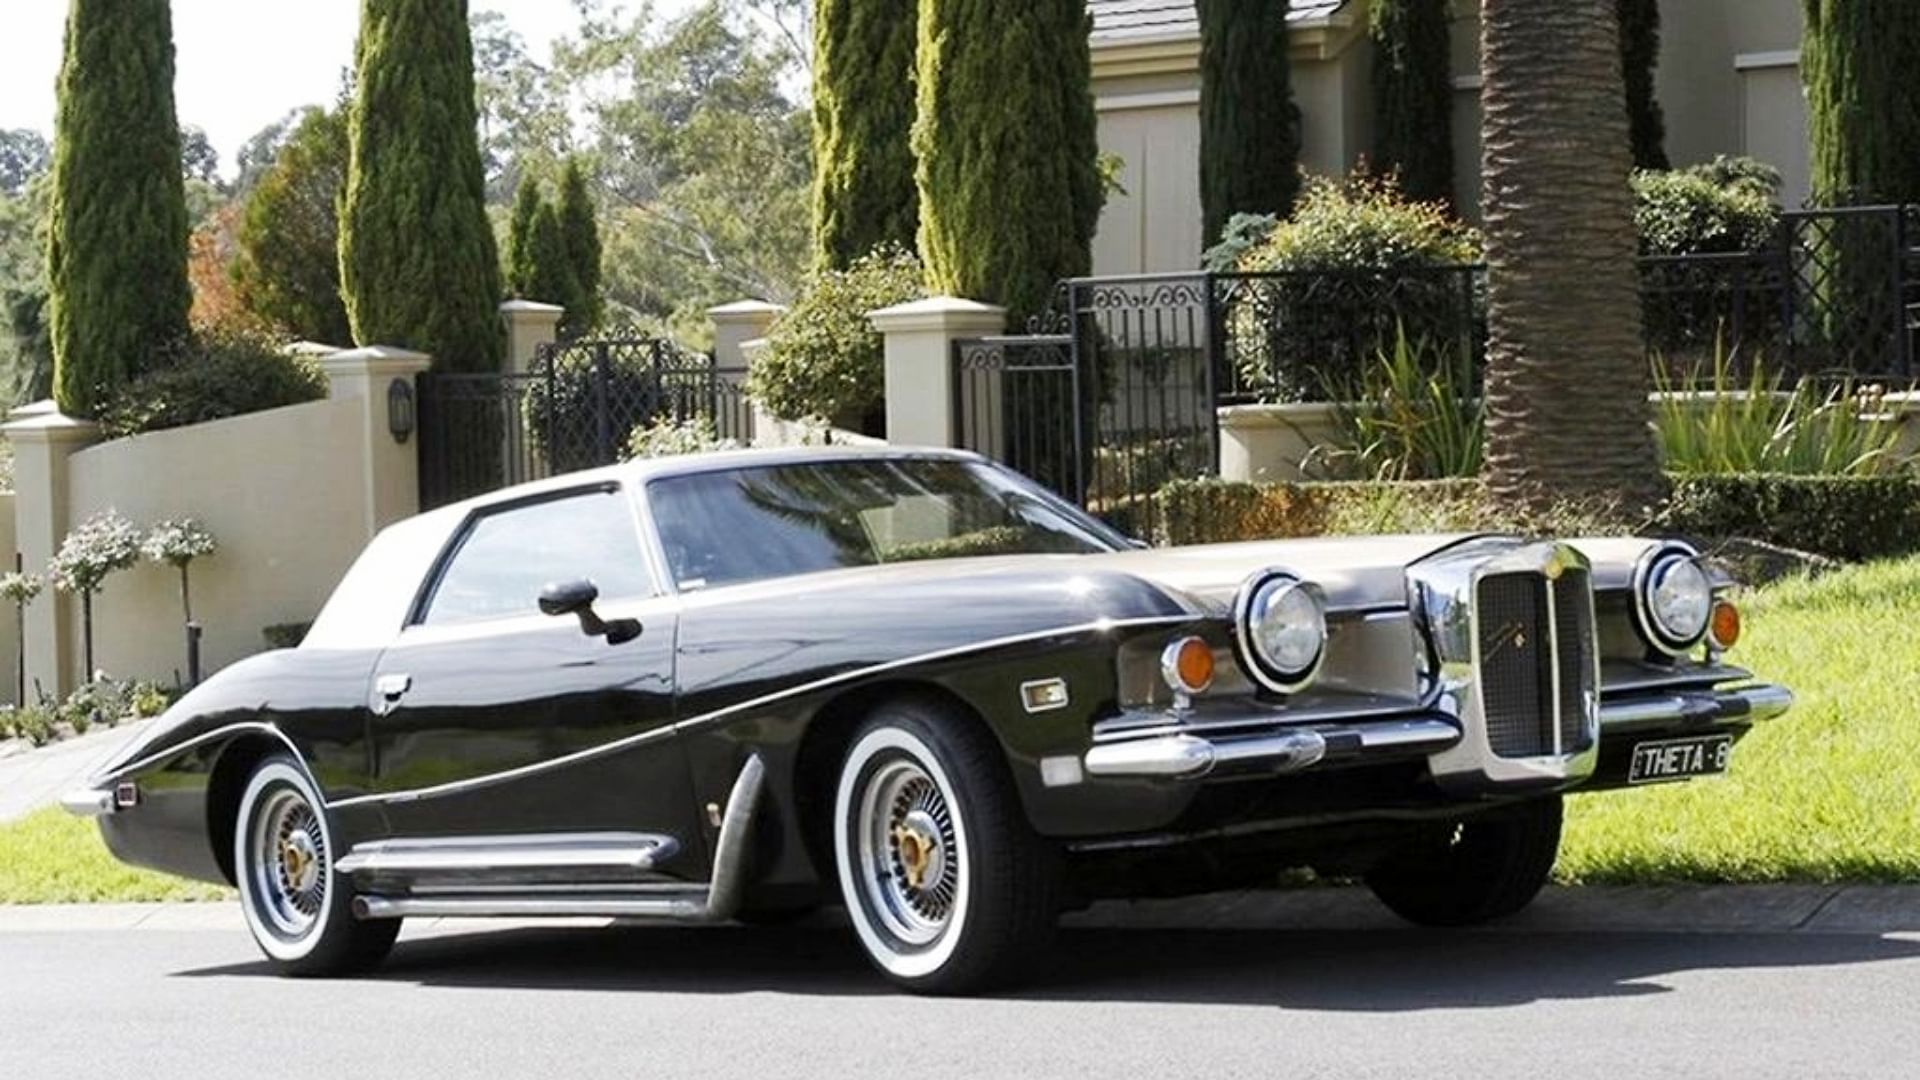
496	720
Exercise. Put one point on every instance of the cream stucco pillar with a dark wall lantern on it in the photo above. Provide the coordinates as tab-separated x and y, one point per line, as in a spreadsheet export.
377	380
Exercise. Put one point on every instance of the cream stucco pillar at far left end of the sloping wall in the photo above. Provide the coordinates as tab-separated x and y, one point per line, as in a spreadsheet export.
43	443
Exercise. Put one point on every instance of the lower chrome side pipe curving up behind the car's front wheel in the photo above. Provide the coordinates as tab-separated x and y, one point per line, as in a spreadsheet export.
715	902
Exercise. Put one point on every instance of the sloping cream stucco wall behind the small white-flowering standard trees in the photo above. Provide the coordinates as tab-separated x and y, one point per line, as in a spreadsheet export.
285	493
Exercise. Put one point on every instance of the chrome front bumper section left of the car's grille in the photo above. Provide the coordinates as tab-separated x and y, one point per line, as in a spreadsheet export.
1274	754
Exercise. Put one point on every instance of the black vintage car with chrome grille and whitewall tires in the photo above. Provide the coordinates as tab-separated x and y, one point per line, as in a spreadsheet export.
744	685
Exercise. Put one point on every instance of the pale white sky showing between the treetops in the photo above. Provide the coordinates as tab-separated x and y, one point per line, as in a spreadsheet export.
241	64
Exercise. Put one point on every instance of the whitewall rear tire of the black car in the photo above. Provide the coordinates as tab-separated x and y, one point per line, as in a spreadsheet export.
297	906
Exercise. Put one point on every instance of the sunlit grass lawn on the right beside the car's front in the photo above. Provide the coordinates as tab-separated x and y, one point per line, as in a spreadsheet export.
1831	793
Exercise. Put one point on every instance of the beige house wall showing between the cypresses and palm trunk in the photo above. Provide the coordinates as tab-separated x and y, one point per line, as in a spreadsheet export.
1729	84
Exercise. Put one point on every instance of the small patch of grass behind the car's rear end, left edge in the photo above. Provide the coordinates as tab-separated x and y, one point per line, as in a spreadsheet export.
57	858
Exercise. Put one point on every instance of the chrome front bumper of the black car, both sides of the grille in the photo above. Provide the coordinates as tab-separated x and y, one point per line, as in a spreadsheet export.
1170	754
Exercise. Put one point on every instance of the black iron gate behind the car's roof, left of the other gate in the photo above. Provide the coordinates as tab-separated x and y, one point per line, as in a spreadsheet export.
579	408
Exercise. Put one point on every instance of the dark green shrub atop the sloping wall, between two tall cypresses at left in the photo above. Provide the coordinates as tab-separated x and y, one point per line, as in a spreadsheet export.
216	378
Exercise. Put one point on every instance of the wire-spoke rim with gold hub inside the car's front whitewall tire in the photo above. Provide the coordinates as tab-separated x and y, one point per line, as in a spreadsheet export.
911	862
